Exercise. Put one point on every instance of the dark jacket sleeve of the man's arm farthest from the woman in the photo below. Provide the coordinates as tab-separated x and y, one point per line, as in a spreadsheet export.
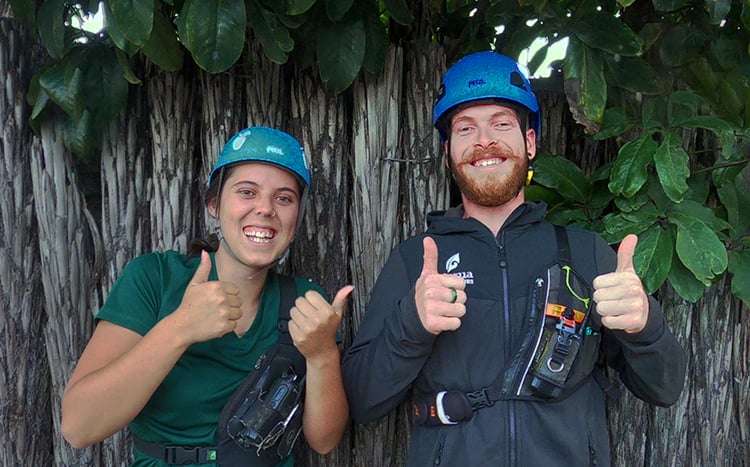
650	363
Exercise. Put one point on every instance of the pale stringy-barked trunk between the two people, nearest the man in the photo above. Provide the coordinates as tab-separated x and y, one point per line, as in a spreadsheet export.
376	225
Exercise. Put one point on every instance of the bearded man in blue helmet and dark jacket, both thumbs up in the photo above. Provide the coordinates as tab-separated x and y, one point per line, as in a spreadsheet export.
494	322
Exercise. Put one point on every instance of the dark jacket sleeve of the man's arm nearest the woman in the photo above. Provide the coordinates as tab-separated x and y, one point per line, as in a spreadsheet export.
389	349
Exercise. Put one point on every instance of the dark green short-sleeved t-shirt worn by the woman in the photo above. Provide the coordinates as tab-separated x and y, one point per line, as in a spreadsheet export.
185	408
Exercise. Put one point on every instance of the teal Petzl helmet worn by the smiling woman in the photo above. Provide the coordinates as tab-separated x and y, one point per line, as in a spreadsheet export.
263	144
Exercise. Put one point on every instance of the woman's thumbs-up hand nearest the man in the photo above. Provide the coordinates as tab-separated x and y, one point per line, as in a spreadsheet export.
314	322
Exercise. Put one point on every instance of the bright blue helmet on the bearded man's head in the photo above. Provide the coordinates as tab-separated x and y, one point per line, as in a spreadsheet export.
484	75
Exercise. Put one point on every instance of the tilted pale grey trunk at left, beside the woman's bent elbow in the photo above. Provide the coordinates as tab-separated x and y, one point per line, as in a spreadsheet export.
69	270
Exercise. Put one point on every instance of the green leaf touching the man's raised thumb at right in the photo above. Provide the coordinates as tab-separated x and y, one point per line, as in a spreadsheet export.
653	256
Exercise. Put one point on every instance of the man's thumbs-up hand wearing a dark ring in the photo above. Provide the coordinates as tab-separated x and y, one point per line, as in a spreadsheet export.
440	297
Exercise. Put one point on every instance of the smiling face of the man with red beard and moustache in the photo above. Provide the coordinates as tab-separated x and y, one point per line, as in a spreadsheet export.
489	153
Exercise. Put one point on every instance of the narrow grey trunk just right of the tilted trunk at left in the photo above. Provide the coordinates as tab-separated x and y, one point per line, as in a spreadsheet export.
125	228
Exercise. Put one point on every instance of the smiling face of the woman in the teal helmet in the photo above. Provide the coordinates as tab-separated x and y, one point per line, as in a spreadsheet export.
257	210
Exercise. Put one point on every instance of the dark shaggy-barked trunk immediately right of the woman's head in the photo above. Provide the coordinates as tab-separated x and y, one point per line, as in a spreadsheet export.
320	249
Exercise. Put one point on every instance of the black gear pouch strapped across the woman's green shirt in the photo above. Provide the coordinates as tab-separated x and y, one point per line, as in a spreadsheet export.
263	419
